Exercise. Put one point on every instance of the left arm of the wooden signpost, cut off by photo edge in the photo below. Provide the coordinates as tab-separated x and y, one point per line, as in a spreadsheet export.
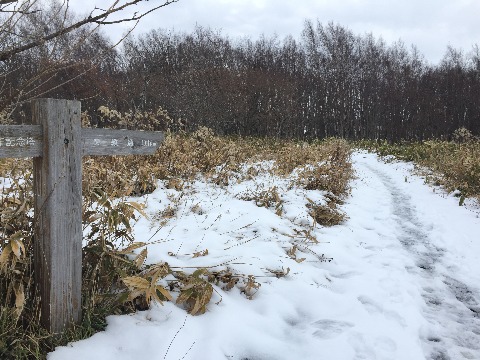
20	141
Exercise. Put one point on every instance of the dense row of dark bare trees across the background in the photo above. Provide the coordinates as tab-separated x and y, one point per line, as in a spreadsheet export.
327	82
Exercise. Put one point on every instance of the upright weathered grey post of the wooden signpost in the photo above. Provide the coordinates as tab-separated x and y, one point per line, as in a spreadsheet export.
58	212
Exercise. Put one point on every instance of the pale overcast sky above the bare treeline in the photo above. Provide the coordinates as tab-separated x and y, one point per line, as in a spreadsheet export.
431	25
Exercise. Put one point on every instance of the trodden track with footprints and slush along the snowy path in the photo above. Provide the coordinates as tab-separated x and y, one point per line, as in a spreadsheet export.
451	306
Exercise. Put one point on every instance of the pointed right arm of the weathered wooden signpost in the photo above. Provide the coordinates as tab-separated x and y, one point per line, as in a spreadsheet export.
120	142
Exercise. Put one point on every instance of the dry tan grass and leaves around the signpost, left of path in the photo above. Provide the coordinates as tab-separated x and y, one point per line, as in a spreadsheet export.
115	279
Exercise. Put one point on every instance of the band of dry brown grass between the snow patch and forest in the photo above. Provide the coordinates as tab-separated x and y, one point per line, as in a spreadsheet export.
322	166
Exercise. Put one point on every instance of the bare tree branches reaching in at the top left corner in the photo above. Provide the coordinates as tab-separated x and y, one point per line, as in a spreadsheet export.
44	47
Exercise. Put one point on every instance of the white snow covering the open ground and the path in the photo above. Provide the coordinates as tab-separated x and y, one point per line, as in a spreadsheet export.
403	282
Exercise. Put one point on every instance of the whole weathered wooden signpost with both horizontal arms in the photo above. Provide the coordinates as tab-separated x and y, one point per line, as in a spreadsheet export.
57	142
